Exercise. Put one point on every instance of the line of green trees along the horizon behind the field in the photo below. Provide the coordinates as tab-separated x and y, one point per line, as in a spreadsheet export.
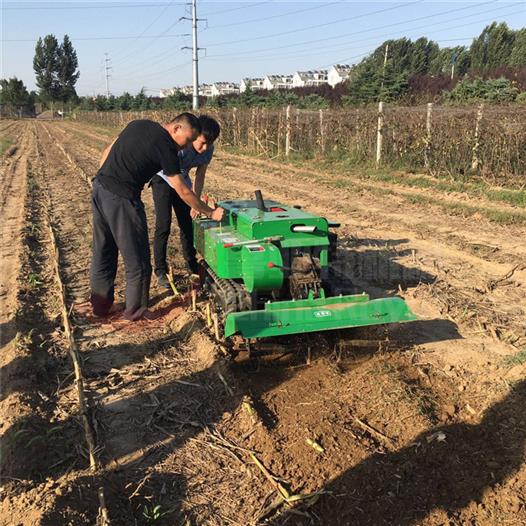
492	68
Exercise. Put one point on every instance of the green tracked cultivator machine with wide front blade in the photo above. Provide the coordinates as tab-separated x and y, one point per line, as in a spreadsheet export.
267	268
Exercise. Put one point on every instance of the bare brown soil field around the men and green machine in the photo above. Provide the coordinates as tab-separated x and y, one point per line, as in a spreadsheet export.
421	423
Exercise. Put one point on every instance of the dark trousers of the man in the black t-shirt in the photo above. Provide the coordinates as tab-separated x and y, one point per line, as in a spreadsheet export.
119	225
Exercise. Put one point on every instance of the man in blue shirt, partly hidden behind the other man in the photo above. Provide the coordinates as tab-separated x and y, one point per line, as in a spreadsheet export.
197	155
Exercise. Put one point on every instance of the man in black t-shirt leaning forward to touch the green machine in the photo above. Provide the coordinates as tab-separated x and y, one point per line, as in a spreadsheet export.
141	150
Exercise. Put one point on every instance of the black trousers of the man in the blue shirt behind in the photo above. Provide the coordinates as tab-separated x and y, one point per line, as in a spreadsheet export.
166	199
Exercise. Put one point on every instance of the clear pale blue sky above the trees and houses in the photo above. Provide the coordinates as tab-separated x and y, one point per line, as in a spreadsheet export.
145	39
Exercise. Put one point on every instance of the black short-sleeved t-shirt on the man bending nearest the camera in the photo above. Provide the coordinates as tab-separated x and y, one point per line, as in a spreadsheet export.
142	149
